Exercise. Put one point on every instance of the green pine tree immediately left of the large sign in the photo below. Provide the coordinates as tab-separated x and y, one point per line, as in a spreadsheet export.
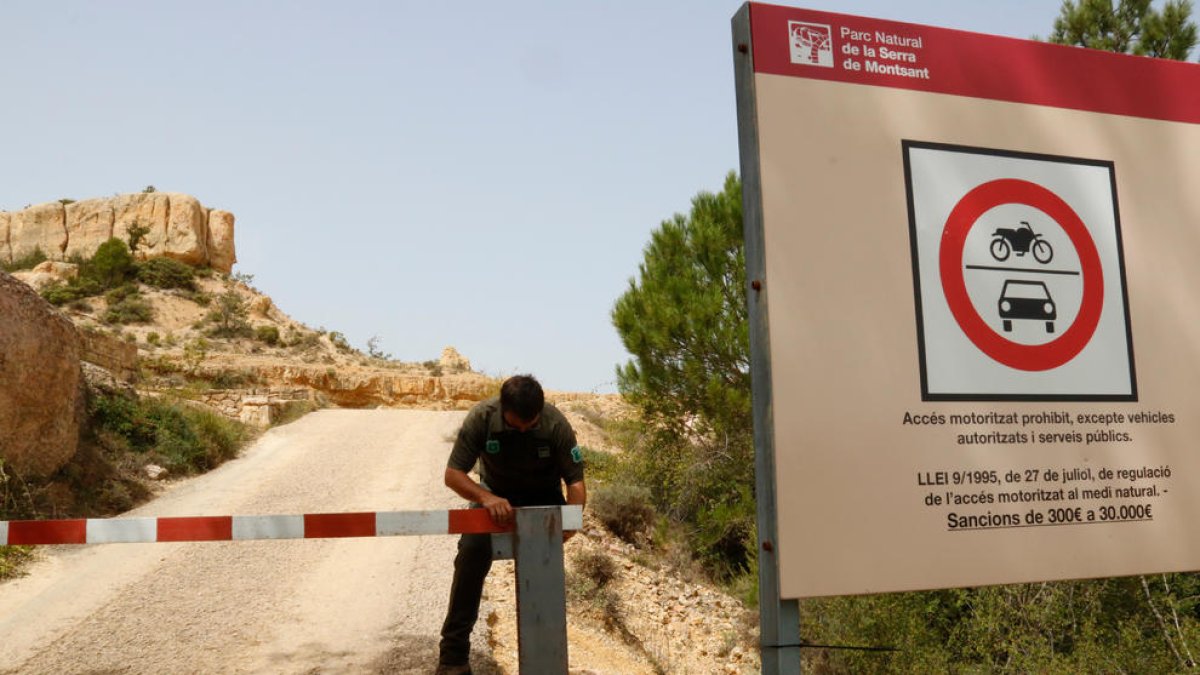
685	322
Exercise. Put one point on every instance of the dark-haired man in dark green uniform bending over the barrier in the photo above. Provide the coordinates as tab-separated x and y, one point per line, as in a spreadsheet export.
526	452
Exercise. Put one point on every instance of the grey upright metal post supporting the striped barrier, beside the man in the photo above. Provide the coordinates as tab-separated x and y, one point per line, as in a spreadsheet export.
542	592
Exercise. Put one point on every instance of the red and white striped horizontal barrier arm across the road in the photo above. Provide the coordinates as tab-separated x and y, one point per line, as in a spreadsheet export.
249	528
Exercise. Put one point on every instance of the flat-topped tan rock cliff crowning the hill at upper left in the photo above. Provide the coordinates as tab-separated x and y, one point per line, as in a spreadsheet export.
178	228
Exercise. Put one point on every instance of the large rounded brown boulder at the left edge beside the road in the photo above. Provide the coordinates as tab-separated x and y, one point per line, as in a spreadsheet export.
41	399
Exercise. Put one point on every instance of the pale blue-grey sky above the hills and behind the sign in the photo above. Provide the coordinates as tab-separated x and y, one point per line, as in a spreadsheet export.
478	175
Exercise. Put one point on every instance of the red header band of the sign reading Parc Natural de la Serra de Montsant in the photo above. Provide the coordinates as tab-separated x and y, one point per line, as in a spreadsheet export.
862	51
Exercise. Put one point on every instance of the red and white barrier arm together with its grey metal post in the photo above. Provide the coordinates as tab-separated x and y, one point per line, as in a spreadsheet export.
536	541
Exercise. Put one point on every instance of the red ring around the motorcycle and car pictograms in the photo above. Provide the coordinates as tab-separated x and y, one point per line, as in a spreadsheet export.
955	237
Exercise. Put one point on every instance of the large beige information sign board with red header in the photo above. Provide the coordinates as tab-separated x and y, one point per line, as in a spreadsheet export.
977	266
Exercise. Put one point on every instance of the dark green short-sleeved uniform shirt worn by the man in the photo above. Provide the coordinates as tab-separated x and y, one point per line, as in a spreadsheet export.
515	464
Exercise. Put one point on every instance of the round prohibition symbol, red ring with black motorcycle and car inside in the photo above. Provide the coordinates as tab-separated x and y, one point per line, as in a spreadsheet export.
1012	354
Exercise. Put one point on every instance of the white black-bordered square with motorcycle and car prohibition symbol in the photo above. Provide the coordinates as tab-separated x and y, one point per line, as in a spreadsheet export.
1019	277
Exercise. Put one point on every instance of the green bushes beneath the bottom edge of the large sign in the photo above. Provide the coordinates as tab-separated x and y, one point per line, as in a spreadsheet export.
1089	626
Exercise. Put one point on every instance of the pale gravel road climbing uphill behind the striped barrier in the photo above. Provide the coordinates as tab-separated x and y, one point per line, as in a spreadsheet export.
333	606
